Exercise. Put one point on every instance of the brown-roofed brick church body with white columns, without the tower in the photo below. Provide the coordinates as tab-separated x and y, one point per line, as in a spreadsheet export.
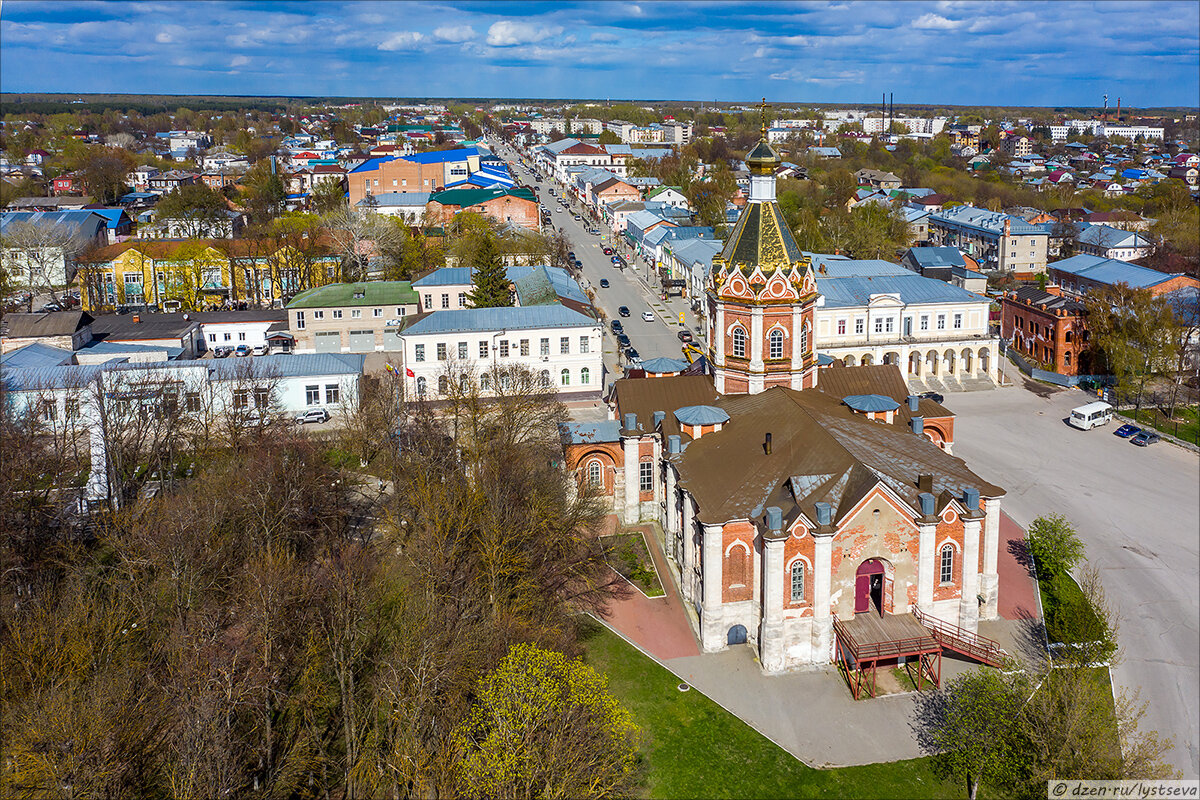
787	510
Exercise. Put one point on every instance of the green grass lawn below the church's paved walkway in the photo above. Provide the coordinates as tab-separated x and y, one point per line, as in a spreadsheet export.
695	749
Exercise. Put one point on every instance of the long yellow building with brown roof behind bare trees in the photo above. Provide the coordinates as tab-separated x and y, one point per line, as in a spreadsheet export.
195	275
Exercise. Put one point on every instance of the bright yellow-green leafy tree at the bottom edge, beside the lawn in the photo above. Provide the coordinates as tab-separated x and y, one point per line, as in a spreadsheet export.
547	727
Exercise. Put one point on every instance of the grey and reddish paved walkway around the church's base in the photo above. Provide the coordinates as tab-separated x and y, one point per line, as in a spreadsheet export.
811	714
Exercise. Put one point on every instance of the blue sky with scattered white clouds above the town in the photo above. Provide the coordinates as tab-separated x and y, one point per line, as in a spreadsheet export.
1023	53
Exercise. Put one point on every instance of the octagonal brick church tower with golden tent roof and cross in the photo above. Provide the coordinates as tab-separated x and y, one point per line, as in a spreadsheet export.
763	294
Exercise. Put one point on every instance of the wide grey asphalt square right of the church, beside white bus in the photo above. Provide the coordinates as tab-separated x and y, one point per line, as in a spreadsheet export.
1138	512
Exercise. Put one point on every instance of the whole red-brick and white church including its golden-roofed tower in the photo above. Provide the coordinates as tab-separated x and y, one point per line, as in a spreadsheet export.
805	510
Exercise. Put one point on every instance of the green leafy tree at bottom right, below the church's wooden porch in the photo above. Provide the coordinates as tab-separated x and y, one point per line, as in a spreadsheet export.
973	729
